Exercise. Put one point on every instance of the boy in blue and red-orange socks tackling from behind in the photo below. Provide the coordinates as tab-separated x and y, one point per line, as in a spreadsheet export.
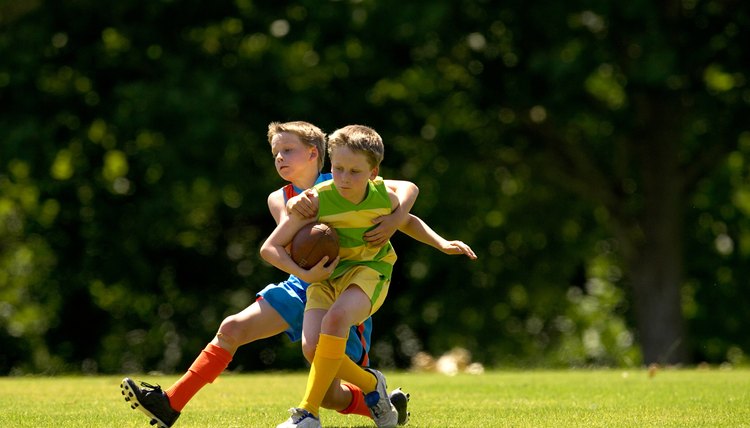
299	150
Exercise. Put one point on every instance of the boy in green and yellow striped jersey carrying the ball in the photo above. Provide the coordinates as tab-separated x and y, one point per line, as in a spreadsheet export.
354	285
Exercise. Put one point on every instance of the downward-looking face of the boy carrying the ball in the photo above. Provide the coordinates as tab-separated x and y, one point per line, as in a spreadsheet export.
351	172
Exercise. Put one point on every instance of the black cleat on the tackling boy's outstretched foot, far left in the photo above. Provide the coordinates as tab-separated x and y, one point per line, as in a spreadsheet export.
150	400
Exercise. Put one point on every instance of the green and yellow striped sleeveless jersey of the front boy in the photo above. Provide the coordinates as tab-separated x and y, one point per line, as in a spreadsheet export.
351	221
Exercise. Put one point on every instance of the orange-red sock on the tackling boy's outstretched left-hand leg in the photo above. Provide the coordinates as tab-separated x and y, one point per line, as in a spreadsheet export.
204	370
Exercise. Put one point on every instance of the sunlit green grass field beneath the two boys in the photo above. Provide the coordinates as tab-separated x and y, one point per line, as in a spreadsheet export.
609	398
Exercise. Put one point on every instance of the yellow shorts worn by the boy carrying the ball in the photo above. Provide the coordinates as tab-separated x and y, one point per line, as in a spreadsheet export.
321	295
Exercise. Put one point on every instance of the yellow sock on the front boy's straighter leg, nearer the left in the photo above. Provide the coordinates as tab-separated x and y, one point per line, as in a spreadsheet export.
325	365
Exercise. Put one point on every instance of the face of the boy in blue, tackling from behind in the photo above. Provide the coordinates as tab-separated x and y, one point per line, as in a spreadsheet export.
292	157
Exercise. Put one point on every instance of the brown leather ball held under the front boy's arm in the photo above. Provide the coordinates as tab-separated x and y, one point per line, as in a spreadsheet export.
312	243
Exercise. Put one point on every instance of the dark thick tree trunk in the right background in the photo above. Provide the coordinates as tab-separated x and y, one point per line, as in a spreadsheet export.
656	262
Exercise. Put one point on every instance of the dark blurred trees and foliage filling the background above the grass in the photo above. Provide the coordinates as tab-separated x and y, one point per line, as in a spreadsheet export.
593	154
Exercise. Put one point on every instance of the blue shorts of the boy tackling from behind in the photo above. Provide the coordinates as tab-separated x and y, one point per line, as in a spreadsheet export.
288	298
